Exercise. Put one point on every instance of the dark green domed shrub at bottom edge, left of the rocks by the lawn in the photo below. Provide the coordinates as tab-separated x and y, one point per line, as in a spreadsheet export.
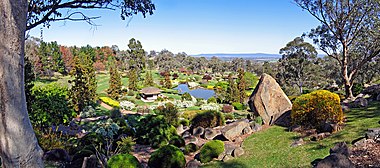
166	157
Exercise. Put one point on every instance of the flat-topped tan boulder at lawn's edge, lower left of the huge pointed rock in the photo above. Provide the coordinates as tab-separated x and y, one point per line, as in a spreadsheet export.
235	129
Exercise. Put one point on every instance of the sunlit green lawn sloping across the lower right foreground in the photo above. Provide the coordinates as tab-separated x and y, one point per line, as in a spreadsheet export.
271	148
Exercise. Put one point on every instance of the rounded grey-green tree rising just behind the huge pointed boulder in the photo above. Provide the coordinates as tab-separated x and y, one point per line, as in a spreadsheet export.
297	62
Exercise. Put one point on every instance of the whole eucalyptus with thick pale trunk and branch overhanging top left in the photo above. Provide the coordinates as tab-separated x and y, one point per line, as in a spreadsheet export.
18	143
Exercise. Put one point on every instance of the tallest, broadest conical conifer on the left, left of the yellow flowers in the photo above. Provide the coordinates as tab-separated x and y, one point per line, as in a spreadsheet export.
83	86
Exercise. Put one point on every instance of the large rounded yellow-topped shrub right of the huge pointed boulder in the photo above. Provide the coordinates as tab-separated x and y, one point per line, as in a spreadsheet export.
314	109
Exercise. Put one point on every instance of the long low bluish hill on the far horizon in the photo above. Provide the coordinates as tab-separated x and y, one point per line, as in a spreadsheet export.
250	56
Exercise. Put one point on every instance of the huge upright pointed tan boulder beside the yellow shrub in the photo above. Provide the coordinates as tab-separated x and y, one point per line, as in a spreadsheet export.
268	100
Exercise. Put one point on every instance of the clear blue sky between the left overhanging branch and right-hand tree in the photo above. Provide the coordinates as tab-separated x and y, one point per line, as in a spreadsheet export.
192	26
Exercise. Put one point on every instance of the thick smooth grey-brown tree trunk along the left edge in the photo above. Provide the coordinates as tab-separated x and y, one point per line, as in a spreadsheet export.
18	143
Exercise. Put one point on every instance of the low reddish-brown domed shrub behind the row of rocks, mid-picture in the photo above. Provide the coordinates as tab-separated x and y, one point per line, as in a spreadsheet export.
208	119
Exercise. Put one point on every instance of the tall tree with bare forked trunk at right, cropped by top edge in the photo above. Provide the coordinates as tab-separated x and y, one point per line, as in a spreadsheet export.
348	33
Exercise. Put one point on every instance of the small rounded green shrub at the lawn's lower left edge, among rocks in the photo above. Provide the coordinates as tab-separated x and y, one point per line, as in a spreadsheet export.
211	149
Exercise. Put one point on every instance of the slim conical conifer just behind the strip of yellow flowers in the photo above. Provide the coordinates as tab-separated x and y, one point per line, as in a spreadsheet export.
114	90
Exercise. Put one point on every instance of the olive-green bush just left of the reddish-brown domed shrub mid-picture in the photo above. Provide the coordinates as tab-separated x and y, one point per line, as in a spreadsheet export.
170	113
